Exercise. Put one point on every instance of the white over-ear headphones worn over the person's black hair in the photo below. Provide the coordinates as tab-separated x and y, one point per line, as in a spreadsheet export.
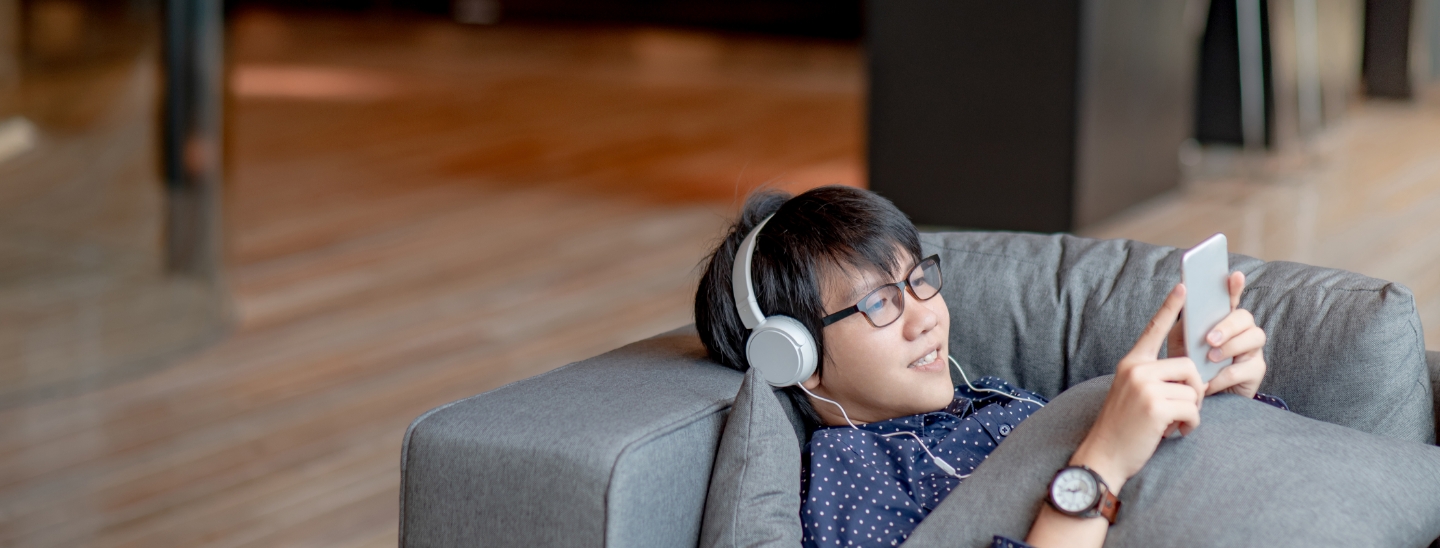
781	347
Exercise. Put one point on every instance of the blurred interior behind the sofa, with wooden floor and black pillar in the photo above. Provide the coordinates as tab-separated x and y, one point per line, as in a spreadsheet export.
244	244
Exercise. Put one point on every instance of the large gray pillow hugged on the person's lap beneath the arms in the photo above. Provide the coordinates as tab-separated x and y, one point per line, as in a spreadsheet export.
1220	487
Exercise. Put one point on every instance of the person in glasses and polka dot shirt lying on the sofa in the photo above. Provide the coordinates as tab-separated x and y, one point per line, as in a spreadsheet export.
896	435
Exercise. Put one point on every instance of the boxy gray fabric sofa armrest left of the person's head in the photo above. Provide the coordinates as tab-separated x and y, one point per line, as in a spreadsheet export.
608	452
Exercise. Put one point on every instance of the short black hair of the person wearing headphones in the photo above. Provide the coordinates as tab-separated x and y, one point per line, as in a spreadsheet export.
822	232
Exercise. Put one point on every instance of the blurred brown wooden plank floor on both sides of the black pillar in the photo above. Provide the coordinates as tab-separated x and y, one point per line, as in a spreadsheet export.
421	212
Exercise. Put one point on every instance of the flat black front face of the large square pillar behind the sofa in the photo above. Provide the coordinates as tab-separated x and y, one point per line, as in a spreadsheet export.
973	111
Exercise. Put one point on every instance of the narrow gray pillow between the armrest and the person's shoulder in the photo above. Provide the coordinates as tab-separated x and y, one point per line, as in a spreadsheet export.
755	488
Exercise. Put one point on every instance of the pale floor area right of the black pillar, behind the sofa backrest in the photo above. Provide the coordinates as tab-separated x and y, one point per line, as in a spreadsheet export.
1363	198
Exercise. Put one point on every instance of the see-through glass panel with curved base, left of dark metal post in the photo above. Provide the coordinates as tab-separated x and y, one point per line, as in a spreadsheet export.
89	290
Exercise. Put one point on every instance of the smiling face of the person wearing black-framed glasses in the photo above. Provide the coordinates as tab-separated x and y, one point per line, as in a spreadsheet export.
882	373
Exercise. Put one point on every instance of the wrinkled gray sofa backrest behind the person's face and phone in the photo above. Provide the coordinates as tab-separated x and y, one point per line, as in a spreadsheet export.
1053	311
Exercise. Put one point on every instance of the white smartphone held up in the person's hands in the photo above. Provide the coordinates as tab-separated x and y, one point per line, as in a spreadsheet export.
1205	271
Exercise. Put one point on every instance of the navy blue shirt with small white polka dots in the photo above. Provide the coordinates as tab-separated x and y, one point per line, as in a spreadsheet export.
866	490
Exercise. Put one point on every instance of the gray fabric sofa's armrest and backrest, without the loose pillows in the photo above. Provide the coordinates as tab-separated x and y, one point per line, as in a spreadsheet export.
617	451
